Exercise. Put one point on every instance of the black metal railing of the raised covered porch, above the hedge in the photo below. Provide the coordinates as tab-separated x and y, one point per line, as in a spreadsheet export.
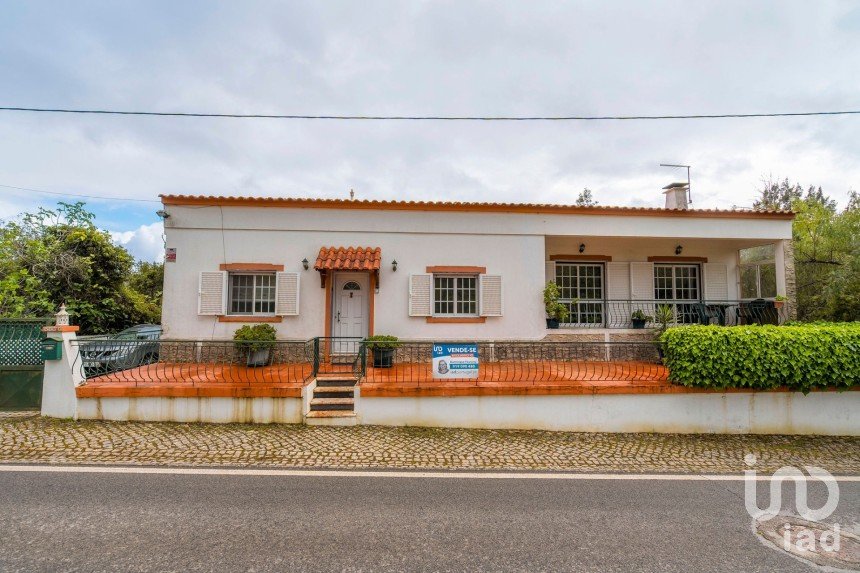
621	313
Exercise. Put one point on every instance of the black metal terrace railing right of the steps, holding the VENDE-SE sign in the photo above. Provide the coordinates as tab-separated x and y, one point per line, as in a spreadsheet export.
524	362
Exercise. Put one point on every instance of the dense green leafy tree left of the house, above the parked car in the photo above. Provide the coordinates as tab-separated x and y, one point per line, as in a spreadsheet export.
59	256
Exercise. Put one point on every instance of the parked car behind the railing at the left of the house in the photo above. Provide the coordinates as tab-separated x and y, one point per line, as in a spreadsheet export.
130	348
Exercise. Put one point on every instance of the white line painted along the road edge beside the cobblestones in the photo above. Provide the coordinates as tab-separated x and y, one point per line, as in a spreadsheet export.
453	474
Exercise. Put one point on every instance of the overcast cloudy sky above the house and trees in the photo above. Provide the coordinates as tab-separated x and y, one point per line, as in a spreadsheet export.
433	58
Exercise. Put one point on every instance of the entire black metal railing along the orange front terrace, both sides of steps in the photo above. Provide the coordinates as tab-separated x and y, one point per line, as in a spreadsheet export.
195	362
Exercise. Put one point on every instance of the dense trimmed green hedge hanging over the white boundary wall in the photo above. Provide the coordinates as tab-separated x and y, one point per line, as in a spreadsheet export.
801	357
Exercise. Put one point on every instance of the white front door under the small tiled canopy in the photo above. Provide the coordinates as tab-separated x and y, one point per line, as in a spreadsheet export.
349	318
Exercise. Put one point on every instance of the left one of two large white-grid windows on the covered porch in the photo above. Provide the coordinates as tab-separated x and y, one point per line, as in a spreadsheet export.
581	286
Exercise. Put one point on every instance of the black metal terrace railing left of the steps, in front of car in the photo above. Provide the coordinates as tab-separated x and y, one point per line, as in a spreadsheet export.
142	362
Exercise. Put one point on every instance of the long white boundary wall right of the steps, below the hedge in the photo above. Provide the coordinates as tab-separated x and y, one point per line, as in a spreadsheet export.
825	413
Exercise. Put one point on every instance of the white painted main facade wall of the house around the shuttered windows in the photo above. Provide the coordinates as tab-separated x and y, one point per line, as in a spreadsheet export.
508	244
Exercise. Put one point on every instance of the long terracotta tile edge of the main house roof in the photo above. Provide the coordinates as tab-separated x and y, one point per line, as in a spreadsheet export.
548	208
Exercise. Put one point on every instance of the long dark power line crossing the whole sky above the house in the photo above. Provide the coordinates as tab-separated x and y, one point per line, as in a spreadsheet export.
430	117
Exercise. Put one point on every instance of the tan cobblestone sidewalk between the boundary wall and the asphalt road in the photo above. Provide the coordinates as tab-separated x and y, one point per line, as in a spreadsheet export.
26	437
